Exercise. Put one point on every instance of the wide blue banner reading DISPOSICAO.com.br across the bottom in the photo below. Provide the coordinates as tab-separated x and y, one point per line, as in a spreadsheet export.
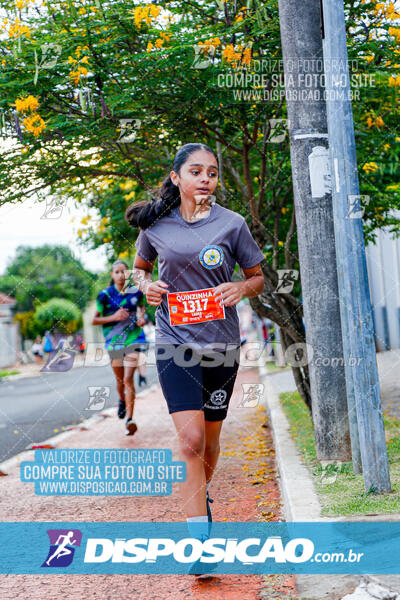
171	548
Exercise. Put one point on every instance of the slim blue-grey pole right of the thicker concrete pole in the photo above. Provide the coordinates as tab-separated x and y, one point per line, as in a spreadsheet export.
356	310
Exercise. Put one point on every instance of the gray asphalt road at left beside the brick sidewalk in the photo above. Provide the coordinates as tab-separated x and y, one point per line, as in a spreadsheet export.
33	409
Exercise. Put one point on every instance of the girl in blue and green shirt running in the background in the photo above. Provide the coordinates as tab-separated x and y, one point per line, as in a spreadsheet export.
116	312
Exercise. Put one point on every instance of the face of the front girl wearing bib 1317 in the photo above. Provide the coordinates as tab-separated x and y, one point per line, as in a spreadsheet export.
198	175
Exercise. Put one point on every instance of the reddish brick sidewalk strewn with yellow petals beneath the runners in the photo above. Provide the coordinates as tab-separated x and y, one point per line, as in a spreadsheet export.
244	488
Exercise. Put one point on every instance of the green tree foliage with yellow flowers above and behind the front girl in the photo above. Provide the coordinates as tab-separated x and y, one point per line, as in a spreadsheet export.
122	60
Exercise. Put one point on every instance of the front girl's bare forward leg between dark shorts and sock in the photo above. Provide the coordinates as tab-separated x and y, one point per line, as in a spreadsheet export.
190	428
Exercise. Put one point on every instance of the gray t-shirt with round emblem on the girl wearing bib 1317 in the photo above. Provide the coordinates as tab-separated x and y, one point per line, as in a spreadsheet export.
195	256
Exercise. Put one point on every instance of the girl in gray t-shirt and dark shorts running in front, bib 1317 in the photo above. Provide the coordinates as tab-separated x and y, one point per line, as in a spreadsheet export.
198	243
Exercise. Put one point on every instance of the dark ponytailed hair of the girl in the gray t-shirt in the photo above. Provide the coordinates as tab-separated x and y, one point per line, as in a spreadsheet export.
143	214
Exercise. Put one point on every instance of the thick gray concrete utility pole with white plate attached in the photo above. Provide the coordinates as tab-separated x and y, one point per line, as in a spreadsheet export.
300	25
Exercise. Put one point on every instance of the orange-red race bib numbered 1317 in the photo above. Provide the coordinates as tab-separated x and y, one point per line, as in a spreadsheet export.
194	306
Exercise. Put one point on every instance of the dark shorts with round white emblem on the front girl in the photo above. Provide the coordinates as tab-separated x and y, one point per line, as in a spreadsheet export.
197	387
